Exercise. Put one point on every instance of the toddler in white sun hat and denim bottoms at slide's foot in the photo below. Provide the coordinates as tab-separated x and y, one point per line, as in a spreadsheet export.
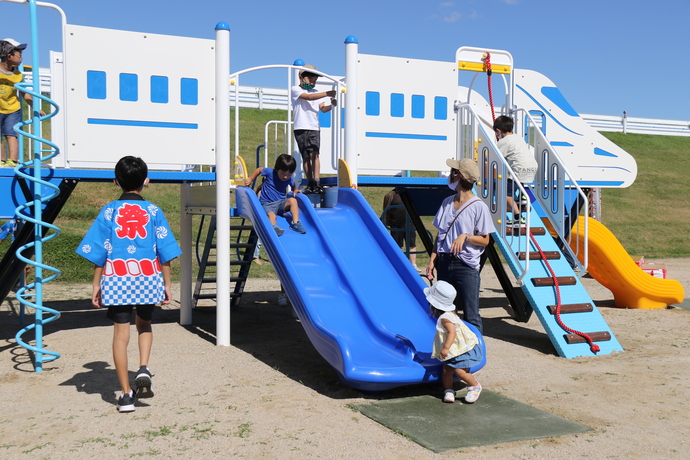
454	344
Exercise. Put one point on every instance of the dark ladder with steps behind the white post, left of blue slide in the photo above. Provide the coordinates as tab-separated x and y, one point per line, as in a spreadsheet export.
242	247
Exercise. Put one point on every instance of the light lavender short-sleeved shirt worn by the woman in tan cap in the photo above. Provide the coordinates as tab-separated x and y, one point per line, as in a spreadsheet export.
475	220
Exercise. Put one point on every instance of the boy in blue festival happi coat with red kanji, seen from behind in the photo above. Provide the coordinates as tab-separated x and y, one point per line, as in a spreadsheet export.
131	246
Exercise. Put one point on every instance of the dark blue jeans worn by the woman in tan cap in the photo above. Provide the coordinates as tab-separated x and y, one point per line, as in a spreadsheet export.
465	280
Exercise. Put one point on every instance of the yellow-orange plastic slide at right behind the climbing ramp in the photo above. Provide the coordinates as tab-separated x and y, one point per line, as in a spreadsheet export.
611	265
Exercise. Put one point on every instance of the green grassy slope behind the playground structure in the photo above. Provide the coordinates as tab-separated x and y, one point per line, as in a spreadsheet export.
649	218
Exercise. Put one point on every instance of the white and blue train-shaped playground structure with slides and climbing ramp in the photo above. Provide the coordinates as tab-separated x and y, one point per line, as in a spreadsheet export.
382	115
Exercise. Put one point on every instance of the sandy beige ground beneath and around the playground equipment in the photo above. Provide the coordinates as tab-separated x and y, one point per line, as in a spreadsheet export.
270	395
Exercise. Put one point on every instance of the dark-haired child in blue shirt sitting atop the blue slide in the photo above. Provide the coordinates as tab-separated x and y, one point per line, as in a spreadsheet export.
274	192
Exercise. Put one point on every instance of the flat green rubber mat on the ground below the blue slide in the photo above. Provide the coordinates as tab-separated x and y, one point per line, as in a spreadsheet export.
493	419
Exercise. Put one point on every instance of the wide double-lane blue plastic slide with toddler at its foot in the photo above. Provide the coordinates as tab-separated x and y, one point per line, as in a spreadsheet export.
356	295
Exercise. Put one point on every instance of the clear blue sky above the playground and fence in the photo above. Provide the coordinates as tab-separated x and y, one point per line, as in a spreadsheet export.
606	56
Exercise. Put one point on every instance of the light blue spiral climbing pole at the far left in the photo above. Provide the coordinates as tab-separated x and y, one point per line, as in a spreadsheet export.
32	211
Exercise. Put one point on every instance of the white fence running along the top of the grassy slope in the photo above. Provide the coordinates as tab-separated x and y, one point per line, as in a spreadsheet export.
277	98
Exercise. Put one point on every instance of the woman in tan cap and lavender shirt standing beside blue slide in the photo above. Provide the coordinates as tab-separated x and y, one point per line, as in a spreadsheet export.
464	224
